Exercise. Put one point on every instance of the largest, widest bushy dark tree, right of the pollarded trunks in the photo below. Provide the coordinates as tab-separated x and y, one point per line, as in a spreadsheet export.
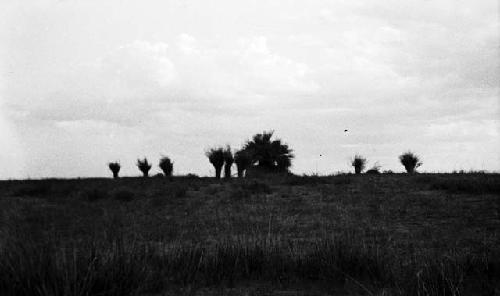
269	155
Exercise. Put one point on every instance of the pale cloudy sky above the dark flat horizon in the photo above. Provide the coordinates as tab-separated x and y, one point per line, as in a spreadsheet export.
86	82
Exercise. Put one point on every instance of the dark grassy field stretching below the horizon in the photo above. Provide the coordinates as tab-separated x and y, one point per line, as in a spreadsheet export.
389	234
